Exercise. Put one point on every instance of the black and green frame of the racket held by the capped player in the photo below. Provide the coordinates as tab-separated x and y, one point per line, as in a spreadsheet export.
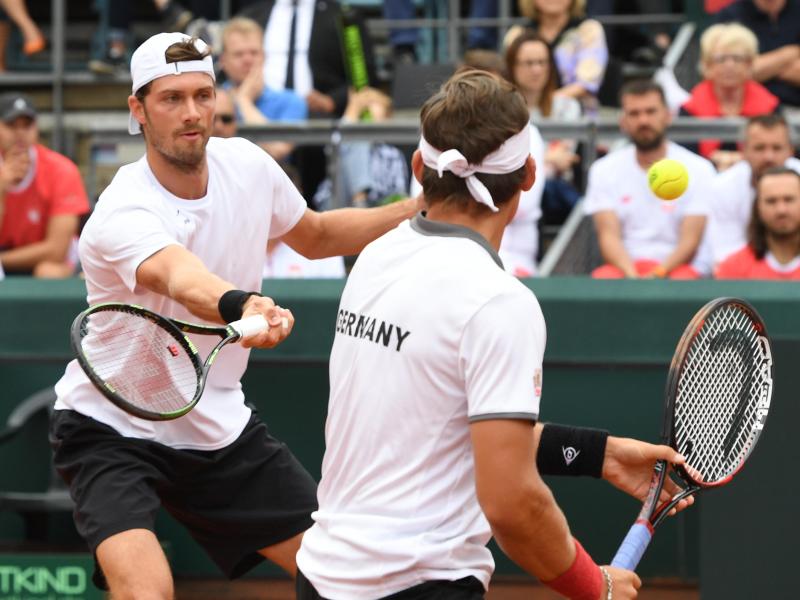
176	328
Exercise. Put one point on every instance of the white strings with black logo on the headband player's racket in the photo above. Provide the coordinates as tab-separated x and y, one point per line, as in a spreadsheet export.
717	411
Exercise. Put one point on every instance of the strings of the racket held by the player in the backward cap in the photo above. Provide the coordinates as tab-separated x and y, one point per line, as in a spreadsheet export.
141	361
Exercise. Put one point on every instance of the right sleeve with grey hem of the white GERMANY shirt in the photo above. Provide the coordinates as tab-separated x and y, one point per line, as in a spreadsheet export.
501	358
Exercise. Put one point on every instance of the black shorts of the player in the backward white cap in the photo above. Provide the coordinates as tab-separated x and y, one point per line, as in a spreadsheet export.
234	501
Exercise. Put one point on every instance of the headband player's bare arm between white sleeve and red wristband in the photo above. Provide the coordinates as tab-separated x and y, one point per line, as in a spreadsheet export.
526	521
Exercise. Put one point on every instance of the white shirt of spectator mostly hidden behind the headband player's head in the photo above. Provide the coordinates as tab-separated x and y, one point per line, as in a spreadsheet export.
521	238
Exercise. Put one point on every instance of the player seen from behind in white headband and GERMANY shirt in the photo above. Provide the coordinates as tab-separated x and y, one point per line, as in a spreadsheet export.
432	441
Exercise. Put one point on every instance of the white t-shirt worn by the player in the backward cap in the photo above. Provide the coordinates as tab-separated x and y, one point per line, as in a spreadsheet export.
249	200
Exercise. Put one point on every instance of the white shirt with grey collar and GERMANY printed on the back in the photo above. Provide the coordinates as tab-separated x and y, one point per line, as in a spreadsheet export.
431	334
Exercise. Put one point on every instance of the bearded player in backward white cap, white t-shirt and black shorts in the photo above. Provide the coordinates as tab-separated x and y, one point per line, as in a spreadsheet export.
183	231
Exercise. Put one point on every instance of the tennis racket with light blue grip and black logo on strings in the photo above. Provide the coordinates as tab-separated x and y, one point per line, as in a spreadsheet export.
716	403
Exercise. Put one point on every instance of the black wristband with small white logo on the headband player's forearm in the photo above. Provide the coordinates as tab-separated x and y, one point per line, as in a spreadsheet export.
571	451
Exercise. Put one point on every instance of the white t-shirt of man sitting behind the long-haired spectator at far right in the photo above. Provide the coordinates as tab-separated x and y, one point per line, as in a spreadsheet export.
732	196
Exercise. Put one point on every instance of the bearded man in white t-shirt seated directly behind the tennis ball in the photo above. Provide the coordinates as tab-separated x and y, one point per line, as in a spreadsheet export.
639	234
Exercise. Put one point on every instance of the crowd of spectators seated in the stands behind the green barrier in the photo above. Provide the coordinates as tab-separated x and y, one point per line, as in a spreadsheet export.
285	61
